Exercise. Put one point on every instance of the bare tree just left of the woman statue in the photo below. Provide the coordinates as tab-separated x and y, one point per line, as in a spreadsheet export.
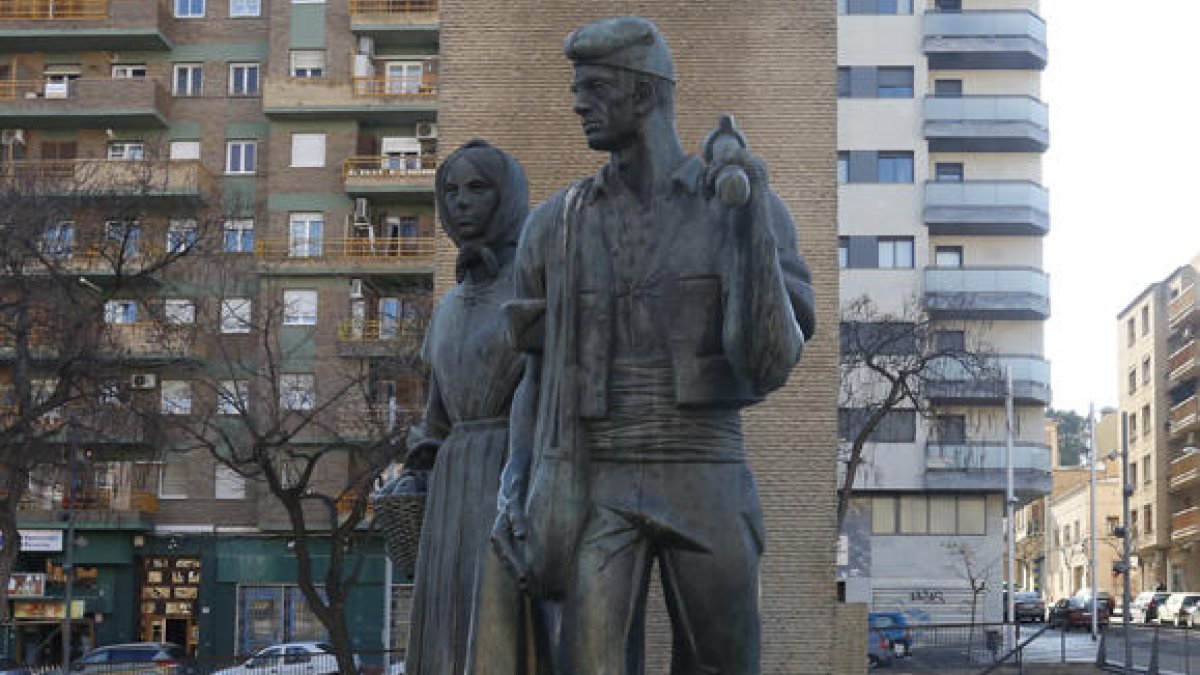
317	439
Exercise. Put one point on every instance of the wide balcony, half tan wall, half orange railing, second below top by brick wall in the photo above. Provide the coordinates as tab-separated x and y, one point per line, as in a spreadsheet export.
369	99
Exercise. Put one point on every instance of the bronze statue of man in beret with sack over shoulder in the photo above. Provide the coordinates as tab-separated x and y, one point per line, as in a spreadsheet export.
653	302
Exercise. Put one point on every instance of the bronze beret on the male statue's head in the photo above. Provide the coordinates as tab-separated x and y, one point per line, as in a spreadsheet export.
623	43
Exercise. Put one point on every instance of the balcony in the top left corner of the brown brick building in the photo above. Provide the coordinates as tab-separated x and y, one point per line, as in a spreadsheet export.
85	26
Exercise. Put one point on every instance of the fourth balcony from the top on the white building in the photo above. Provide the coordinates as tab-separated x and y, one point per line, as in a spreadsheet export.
988	294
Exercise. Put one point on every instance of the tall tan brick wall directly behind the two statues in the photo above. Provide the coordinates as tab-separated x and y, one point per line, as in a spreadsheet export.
772	64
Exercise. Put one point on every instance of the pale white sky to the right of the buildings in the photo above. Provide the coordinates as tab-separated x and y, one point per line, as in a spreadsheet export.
1125	134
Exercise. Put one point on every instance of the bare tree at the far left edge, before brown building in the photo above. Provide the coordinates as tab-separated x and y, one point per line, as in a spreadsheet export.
75	235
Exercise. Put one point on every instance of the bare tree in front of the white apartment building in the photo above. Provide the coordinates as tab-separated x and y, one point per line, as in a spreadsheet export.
891	363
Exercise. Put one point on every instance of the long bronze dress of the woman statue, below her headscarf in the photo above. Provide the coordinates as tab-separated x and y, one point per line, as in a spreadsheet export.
464	601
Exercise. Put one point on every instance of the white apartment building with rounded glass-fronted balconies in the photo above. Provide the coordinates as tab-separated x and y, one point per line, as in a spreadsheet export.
943	208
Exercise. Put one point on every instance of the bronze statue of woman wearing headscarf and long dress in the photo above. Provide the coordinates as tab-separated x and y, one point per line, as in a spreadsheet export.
469	616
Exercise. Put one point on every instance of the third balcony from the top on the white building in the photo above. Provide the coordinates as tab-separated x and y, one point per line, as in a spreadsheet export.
988	207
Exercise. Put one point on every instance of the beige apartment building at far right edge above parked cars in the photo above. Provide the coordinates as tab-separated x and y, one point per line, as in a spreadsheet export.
1157	371
